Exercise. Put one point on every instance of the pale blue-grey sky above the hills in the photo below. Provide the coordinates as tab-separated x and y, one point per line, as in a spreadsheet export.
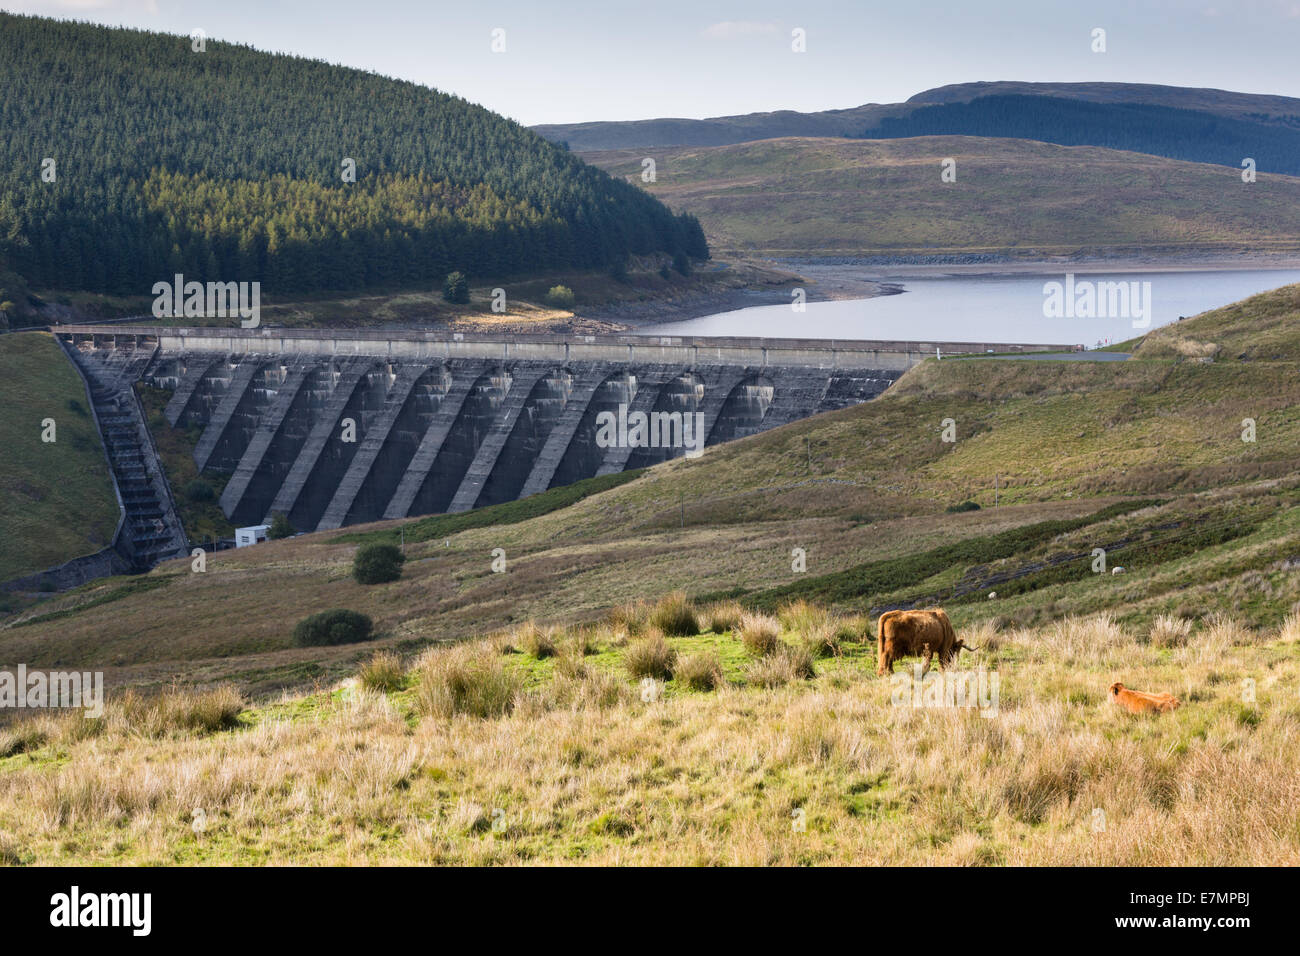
578	60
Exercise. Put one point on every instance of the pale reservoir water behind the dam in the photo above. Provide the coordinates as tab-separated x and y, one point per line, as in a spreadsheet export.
994	309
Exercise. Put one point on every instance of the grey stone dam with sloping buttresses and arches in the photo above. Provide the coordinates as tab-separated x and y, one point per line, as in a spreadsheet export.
343	427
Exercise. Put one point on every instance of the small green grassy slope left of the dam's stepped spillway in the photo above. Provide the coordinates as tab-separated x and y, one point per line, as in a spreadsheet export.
57	499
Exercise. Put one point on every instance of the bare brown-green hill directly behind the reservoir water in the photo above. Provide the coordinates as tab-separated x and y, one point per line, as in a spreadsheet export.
839	197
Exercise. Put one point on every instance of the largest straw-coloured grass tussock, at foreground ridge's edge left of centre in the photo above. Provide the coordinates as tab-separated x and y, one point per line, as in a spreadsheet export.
466	681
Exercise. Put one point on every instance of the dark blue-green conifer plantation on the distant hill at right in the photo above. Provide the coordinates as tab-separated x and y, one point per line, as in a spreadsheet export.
1186	135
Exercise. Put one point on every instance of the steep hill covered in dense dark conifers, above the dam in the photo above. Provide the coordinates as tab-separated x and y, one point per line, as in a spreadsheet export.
228	166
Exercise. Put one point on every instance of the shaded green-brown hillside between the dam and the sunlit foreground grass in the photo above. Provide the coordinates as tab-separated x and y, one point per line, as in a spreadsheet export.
1145	458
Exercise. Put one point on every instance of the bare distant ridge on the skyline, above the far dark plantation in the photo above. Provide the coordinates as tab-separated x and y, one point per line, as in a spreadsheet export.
725	131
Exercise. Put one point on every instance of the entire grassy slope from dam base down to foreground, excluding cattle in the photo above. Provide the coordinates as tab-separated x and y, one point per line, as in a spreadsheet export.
766	737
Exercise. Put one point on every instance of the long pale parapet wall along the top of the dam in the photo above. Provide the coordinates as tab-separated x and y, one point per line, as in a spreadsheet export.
414	345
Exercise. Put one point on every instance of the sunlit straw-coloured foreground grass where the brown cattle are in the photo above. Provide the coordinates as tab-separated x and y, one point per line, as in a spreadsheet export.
587	771
